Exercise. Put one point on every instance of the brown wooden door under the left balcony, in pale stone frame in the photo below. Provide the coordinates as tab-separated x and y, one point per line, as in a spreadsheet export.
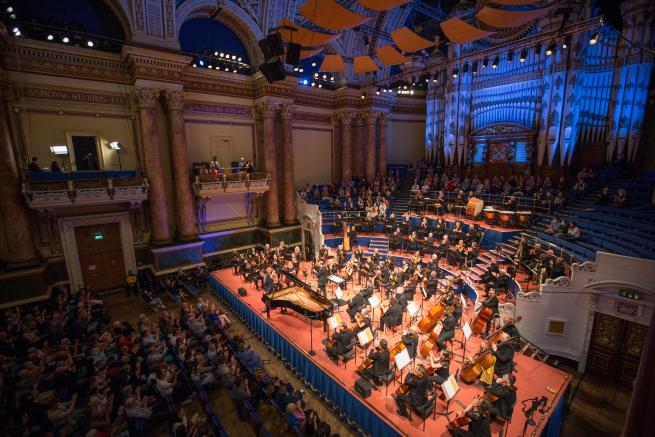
101	256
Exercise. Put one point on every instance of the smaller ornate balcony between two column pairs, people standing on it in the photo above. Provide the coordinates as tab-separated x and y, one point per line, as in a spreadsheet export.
210	186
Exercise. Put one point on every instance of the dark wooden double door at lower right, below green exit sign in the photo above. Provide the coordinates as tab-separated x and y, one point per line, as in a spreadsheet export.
615	348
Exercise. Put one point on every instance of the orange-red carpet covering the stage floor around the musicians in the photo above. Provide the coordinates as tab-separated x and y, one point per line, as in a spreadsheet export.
534	378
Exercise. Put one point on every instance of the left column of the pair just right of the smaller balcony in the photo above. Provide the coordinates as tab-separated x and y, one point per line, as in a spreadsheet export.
267	113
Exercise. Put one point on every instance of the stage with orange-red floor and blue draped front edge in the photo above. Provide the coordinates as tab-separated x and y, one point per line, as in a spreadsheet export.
289	337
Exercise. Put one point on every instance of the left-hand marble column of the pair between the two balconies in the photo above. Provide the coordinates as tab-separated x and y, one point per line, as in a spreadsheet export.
159	226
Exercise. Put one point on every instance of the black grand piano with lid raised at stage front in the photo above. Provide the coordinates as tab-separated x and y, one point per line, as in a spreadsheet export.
299	297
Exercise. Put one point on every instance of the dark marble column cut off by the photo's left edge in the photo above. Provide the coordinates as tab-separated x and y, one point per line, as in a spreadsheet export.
15	218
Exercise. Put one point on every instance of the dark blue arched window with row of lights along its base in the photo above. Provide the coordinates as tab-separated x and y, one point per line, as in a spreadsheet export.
214	45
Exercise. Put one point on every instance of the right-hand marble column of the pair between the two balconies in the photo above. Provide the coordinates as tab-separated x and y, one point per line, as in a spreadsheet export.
184	205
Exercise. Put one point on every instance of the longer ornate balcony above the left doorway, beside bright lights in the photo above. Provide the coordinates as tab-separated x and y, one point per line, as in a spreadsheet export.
52	190
